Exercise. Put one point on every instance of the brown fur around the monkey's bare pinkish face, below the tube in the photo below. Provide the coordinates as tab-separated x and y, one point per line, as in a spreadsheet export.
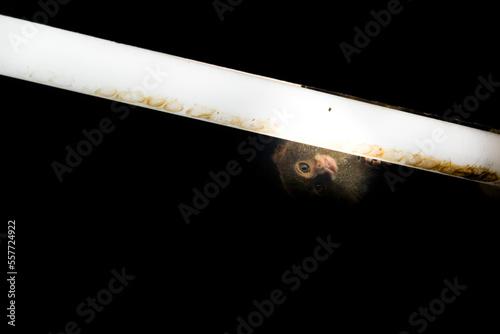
350	183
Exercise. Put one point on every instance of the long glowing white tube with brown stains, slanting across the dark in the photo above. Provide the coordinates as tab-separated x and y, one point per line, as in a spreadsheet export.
184	87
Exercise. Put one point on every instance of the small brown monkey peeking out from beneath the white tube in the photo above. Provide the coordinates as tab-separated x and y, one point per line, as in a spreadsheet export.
313	172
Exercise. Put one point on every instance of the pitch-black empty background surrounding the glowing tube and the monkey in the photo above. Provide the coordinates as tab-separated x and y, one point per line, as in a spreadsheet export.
119	208
